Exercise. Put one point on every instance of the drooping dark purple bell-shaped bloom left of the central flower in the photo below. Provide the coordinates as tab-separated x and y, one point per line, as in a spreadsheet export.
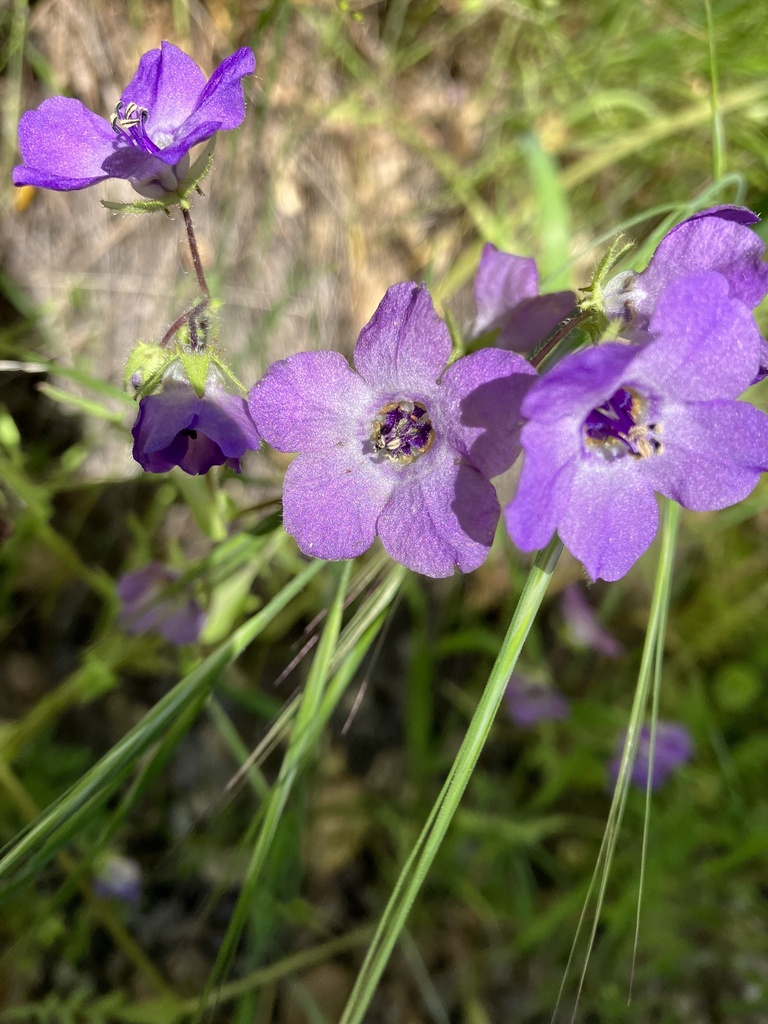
178	428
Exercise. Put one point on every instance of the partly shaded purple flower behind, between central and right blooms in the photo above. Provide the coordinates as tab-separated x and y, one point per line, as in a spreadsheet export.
507	300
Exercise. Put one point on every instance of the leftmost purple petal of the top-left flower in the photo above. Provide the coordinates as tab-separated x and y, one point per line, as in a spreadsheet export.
64	146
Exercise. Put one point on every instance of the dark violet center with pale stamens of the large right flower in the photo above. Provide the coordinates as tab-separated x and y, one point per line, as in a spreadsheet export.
620	428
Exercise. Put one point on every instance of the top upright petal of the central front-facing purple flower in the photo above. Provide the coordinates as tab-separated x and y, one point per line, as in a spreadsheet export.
405	348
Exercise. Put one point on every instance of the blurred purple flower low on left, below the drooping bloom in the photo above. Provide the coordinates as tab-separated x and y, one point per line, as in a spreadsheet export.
150	602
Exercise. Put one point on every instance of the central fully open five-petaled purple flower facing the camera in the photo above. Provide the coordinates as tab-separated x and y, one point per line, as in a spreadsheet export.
402	448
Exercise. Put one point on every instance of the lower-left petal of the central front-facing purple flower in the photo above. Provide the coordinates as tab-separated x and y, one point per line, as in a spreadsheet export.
332	500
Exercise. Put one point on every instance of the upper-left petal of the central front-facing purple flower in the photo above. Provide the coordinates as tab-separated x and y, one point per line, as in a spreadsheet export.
312	401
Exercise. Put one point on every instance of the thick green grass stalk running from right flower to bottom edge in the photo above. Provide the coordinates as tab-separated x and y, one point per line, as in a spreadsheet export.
415	871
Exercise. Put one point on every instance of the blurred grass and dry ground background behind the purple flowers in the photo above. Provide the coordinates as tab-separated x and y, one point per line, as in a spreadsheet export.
383	142
